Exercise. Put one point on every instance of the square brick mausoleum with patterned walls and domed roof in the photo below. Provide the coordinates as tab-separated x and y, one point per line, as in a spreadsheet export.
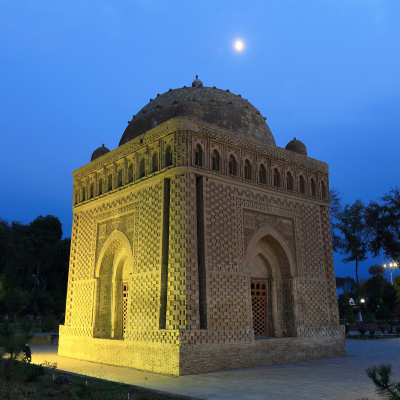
199	245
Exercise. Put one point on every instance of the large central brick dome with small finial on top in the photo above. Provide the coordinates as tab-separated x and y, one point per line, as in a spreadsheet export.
216	106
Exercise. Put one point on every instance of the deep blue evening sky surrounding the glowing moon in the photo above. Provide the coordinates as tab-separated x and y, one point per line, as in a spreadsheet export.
73	73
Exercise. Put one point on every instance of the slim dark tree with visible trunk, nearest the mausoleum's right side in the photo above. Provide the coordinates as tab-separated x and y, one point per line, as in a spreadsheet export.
351	238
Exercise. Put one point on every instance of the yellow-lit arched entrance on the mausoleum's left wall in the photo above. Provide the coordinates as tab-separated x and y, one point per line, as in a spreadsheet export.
113	269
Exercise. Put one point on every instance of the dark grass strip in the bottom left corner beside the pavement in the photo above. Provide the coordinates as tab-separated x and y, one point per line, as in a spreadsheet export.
96	389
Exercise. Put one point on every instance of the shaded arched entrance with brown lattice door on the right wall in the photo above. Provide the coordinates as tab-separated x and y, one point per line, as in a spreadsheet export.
270	269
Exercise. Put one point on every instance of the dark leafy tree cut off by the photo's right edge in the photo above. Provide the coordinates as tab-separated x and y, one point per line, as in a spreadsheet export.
383	225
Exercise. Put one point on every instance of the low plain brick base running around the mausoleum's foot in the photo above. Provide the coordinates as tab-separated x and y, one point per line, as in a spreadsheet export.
173	359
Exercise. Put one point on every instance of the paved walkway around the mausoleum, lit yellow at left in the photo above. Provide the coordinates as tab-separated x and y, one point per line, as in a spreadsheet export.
338	378
